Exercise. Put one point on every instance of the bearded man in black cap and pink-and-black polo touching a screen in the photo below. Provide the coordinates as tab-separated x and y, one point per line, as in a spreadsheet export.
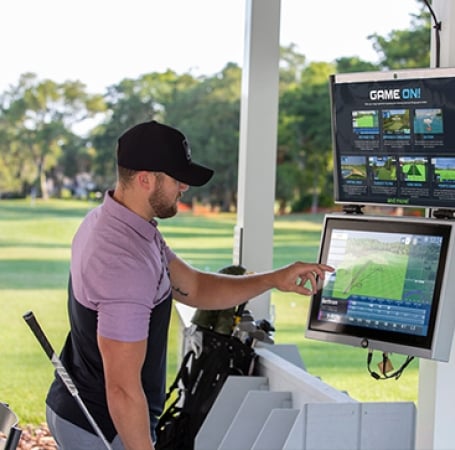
122	281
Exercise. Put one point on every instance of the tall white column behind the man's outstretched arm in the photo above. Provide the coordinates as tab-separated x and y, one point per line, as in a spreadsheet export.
258	141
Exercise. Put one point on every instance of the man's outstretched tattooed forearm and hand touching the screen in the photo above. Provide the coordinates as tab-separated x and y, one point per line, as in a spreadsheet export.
219	291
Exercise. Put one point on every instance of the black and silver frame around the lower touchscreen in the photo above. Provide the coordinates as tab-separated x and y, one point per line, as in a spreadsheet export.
388	341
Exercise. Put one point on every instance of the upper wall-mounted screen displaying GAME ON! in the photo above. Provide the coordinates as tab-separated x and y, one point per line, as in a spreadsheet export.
394	137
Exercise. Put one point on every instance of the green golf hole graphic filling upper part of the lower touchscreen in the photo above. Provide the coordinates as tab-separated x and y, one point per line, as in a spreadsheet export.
386	267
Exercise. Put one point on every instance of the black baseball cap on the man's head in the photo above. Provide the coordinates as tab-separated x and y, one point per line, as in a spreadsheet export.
156	147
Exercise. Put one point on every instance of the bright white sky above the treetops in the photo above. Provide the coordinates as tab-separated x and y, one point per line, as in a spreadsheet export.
101	42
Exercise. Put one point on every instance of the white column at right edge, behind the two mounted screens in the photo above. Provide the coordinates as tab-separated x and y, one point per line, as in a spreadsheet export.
436	399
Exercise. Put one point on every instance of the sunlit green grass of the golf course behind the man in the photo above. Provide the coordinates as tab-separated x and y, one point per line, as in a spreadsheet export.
35	244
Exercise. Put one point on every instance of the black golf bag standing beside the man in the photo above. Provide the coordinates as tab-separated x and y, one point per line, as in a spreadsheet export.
203	371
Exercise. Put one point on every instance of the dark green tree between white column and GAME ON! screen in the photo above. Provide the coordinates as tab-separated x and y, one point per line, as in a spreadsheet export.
304	145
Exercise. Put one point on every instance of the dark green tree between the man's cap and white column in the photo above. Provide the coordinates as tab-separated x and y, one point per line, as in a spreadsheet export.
208	113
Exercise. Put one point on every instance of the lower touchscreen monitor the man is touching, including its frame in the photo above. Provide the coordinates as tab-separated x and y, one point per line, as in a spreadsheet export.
393	288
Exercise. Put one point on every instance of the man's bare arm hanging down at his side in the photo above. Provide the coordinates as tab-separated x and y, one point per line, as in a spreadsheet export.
125	396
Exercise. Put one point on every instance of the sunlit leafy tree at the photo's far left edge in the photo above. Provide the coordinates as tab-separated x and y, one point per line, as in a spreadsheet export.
37	117
